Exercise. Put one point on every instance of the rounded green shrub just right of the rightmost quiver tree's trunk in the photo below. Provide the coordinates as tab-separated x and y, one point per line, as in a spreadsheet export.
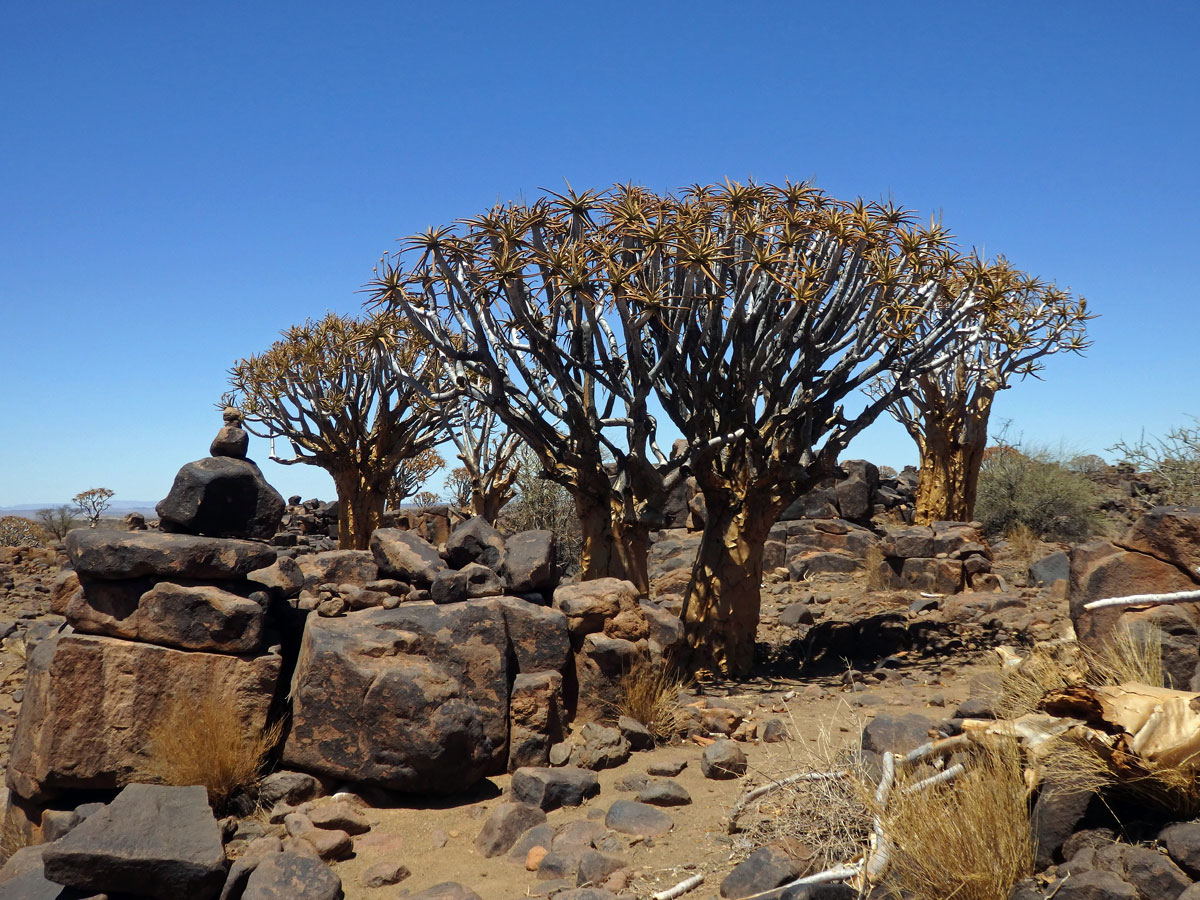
1036	491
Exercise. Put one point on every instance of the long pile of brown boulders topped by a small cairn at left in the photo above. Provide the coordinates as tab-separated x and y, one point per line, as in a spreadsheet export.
400	668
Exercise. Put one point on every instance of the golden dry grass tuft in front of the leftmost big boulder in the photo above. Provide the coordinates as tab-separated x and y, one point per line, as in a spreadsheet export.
207	745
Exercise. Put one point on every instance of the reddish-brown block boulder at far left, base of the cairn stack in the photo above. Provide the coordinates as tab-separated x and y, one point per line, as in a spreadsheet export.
92	703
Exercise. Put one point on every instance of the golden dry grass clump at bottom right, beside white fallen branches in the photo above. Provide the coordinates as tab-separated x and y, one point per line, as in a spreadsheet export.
969	839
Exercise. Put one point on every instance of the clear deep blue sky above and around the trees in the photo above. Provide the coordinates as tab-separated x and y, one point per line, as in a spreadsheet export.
179	182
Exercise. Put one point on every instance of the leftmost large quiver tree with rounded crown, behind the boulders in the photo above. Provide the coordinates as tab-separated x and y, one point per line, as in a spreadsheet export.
327	389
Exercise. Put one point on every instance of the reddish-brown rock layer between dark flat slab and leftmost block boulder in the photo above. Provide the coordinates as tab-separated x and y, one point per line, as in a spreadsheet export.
193	617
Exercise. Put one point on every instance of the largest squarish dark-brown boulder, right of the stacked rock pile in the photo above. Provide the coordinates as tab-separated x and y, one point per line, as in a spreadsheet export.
413	699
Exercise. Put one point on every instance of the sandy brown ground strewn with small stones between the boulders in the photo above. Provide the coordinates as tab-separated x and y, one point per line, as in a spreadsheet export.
836	655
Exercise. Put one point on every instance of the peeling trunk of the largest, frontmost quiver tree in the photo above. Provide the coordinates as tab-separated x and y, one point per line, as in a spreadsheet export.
725	592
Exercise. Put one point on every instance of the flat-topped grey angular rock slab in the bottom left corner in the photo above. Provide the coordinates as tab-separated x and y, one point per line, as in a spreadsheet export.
153	841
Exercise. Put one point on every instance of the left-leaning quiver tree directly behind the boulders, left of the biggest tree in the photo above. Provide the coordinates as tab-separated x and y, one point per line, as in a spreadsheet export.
518	304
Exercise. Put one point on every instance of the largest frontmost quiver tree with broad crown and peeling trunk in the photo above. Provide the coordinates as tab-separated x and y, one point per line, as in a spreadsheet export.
761	309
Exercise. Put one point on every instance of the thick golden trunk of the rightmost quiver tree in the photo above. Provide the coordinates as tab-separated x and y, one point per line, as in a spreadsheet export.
949	479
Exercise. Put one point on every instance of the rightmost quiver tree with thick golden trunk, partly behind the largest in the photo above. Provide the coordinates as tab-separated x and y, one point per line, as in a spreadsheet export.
946	409
